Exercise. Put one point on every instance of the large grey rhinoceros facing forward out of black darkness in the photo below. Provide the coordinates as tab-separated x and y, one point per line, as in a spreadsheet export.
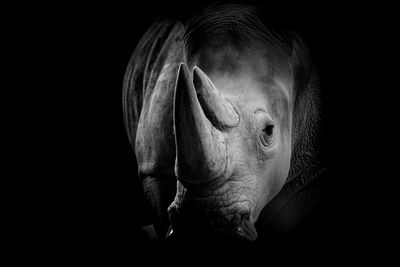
222	113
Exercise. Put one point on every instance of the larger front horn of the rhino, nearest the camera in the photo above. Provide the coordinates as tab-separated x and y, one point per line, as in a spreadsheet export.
201	154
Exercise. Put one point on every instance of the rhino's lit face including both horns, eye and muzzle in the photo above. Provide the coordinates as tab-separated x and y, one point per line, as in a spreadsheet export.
233	147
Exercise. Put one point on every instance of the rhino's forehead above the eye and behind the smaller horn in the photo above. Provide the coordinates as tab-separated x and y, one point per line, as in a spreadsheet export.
249	79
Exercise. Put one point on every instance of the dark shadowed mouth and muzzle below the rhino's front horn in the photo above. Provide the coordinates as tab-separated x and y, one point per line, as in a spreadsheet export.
218	216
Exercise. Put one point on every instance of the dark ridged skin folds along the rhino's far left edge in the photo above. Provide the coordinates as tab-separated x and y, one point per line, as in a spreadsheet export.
144	68
